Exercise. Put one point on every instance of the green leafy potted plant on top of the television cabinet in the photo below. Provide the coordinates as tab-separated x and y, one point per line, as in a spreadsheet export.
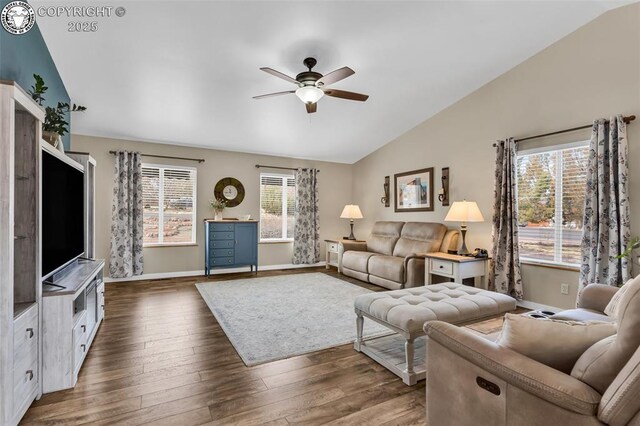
55	124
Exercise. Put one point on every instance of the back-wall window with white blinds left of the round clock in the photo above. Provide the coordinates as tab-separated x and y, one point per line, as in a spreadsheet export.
169	199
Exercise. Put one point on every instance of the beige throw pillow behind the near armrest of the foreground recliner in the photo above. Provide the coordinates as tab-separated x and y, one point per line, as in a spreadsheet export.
555	343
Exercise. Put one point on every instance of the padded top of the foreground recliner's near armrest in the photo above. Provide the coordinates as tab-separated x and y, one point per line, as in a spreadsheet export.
516	369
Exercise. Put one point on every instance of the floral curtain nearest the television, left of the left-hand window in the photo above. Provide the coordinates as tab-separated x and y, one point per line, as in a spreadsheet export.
126	217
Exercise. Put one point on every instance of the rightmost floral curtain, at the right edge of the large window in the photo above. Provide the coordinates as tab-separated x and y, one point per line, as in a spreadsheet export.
606	226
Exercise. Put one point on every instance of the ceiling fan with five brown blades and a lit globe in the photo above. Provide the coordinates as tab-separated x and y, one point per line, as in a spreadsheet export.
311	85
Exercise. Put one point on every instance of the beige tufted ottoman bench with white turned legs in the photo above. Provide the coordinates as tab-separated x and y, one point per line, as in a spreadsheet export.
405	312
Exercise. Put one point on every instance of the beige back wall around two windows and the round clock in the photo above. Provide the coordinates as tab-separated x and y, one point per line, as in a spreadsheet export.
335	191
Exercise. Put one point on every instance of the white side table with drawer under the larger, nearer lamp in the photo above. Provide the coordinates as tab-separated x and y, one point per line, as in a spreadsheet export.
456	267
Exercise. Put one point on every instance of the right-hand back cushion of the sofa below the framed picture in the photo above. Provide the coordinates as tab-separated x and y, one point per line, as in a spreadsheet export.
419	237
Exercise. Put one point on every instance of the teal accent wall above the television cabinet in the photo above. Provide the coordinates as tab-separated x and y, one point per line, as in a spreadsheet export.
23	55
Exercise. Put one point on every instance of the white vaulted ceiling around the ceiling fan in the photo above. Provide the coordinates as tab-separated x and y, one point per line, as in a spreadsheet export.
184	72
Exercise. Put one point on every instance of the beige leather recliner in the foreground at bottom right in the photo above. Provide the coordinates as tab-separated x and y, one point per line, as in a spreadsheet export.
473	381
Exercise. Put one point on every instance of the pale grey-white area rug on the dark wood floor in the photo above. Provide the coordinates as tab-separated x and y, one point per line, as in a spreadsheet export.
273	318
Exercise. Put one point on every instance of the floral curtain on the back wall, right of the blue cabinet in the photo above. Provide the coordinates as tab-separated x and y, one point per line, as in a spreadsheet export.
306	233
